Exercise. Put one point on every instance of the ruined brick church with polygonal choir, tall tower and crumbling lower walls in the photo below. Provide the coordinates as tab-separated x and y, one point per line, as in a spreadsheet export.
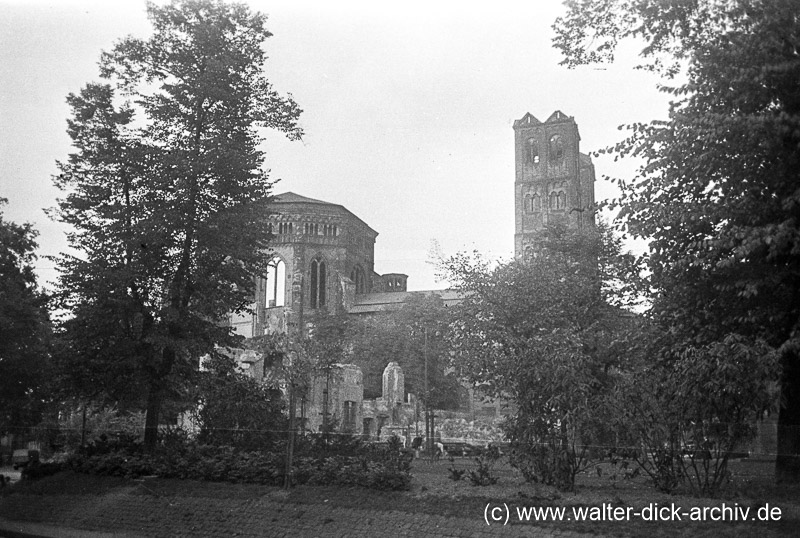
322	260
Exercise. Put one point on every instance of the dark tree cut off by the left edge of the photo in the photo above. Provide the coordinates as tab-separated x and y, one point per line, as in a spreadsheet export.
24	329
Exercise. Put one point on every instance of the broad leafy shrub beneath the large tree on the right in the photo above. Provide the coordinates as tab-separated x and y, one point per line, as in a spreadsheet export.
690	412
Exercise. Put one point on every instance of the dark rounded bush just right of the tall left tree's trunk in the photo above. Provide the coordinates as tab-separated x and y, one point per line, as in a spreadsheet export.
235	409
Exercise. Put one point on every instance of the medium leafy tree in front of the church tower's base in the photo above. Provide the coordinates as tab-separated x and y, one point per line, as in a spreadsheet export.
540	332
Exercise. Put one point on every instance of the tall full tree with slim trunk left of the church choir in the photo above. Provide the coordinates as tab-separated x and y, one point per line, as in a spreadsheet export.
166	194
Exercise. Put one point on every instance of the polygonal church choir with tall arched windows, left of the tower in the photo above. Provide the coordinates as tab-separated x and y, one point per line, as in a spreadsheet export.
322	260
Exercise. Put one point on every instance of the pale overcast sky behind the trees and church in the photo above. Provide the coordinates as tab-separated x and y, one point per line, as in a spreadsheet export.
408	112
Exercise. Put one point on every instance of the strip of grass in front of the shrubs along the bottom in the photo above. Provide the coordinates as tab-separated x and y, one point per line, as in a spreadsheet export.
434	493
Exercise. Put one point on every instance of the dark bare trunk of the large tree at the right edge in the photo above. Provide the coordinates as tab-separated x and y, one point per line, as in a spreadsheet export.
787	463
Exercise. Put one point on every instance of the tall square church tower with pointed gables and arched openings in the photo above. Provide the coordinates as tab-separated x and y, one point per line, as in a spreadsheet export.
554	182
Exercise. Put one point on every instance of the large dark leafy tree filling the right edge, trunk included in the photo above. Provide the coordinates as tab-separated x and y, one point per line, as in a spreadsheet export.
717	195
